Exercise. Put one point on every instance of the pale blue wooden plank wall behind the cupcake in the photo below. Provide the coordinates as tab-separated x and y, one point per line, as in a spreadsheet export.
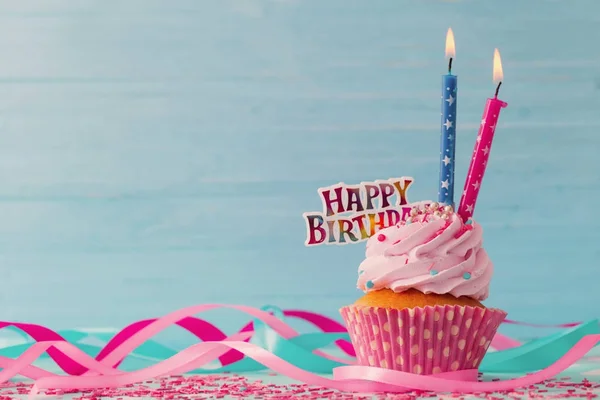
159	154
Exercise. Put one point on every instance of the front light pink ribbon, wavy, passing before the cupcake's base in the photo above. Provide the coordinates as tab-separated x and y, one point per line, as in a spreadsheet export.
350	378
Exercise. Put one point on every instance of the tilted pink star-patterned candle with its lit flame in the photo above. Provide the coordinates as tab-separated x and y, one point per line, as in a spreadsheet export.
483	145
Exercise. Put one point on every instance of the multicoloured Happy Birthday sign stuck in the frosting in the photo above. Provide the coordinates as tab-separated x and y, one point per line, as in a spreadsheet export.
354	213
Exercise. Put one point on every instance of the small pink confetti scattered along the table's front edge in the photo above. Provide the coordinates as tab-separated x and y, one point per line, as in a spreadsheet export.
234	386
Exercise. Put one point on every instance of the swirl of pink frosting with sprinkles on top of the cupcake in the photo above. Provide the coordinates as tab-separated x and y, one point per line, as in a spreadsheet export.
433	252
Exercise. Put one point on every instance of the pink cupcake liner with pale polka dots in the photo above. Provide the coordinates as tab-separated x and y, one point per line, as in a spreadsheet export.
424	341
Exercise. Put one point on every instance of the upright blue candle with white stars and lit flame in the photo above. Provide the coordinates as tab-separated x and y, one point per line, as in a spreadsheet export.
448	130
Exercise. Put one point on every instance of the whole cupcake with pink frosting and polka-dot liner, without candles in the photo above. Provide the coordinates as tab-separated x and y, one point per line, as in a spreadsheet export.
424	280
